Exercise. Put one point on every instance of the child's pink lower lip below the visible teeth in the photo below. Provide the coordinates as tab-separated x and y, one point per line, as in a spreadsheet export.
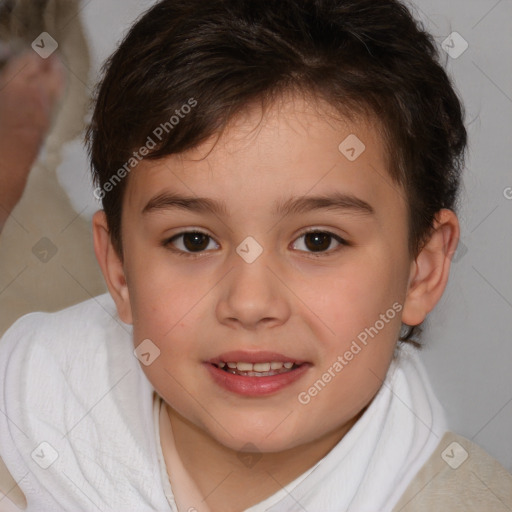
255	386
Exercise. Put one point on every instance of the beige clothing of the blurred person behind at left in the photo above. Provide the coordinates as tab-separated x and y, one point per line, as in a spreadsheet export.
46	254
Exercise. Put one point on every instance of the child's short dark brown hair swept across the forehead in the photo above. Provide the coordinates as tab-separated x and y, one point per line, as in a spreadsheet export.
361	56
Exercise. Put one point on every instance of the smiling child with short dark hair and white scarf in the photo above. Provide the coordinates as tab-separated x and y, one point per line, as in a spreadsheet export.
278	182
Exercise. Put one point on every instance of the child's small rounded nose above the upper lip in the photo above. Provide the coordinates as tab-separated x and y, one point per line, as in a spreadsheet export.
252	296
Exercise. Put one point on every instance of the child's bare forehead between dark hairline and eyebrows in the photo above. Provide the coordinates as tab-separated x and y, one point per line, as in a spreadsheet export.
295	147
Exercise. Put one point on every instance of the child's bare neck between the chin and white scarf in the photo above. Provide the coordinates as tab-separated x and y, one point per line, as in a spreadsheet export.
220	472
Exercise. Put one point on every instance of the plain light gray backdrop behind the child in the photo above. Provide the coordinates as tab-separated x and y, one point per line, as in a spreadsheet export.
468	342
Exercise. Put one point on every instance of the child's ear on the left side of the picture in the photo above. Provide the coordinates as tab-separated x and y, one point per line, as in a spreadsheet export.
111	266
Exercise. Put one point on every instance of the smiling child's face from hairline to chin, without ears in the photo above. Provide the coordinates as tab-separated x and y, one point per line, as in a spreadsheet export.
307	306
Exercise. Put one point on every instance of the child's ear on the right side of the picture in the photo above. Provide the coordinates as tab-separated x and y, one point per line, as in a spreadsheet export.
431	268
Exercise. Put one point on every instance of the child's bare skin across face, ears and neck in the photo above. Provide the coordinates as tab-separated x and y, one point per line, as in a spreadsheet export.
291	299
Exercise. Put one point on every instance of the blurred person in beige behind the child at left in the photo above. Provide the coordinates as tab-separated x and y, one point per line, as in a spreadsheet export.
46	256
